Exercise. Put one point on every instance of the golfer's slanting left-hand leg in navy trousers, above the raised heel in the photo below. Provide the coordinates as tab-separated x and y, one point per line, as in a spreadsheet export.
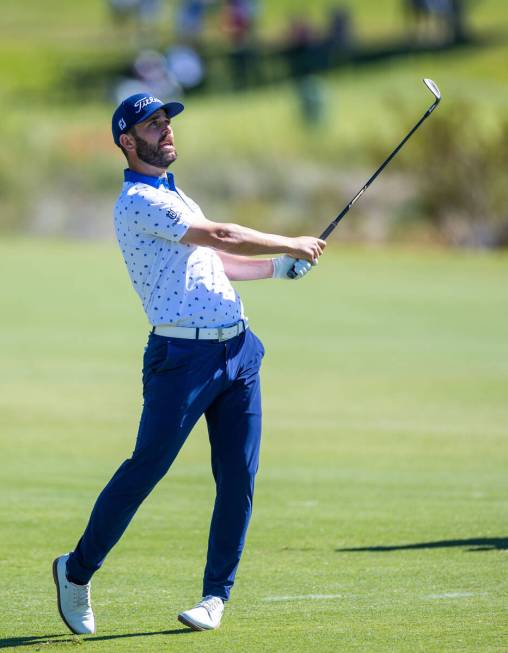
168	416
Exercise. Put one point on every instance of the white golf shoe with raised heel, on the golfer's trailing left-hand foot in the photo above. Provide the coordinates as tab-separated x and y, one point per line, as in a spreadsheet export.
73	600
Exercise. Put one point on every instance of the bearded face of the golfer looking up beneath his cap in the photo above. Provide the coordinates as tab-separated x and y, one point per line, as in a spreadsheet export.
154	140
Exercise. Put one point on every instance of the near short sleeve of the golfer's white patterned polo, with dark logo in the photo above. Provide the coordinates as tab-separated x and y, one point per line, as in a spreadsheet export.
155	214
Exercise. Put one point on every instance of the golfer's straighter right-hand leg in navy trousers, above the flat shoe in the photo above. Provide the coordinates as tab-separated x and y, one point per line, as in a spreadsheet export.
234	425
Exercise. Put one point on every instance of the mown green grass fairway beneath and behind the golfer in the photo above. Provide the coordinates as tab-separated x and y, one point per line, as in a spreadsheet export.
380	520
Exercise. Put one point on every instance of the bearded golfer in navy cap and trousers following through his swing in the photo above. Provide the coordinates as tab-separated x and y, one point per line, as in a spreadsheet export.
201	358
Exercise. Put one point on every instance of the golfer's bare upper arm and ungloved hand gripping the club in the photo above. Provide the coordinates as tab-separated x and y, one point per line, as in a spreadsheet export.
235	239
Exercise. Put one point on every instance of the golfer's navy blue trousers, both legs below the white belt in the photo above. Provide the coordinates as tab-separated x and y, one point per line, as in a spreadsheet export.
182	380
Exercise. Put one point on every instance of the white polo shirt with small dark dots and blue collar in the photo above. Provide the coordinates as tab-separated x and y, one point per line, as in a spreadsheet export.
179	284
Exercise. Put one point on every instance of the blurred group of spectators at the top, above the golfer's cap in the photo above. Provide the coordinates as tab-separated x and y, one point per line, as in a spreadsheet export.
240	56
